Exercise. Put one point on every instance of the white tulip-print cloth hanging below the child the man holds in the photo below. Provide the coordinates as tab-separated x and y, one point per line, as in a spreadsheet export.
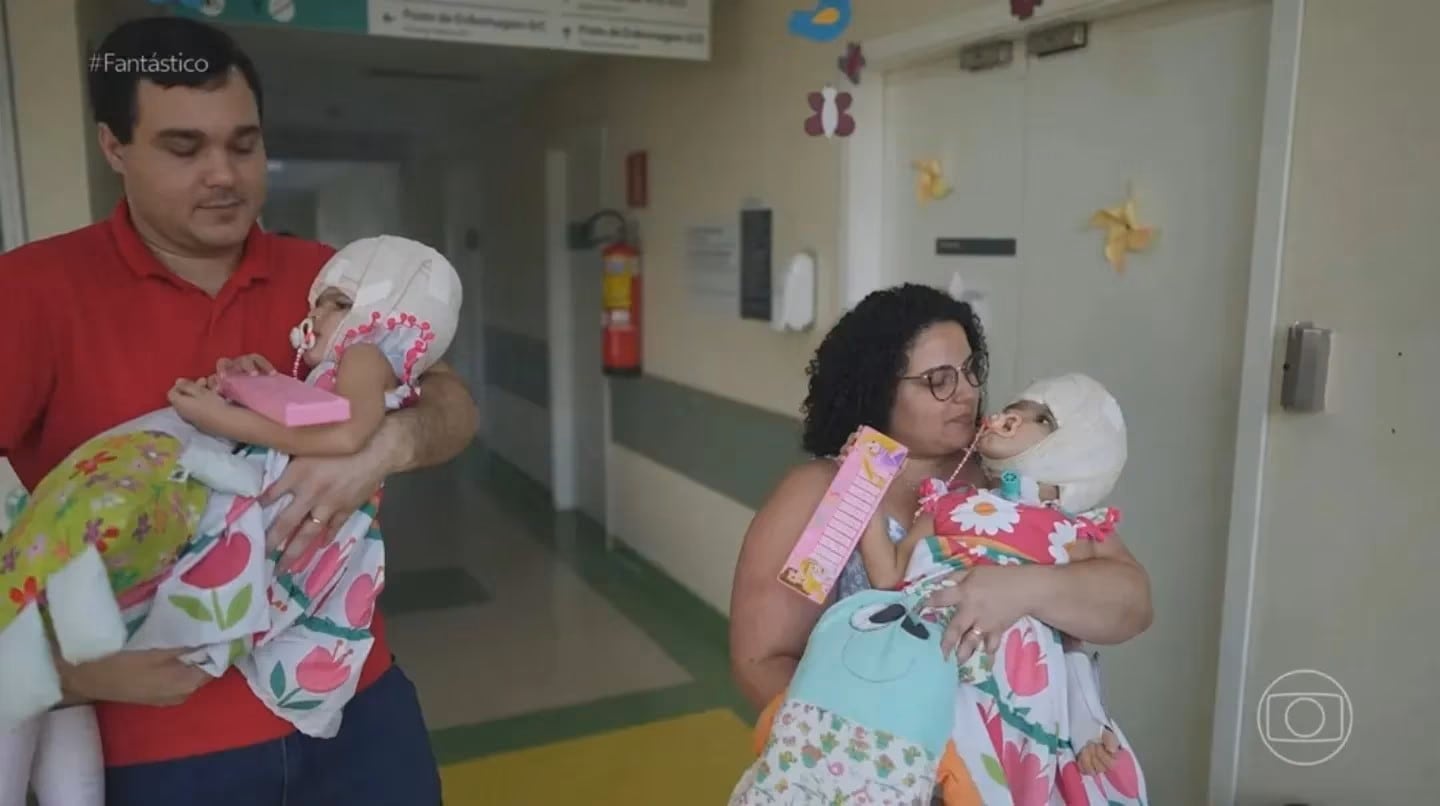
299	634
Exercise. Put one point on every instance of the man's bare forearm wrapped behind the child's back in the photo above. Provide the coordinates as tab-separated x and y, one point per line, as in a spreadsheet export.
437	430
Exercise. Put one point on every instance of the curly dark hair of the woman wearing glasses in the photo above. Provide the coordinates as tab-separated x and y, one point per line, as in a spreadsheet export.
856	371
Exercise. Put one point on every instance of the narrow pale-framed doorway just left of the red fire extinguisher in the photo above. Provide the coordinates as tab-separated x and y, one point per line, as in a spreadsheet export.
580	394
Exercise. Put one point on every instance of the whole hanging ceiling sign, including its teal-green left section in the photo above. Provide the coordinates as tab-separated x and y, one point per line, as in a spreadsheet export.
669	30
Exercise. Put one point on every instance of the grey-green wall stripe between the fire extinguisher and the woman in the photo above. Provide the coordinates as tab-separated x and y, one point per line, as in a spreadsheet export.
734	448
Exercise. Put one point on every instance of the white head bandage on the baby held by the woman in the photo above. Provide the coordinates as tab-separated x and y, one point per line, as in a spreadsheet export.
1085	456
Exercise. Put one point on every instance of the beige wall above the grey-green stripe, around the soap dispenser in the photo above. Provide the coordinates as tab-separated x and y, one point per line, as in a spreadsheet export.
719	133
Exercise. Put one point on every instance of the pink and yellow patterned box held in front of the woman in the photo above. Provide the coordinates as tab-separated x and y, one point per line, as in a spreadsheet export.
852	502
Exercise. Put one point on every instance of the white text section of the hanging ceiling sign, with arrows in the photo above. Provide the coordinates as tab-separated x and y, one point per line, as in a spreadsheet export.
676	30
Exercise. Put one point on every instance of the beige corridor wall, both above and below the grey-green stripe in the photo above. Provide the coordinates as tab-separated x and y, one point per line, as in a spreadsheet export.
716	135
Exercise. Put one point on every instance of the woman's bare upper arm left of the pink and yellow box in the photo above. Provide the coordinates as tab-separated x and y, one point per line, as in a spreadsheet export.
770	624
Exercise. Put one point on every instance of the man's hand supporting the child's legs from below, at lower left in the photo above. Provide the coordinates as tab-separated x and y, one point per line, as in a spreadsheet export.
148	677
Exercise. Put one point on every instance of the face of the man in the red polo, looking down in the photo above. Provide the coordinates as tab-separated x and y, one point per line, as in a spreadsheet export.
195	171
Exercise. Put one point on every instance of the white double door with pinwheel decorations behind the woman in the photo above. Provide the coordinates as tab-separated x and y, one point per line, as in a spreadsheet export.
1167	101
